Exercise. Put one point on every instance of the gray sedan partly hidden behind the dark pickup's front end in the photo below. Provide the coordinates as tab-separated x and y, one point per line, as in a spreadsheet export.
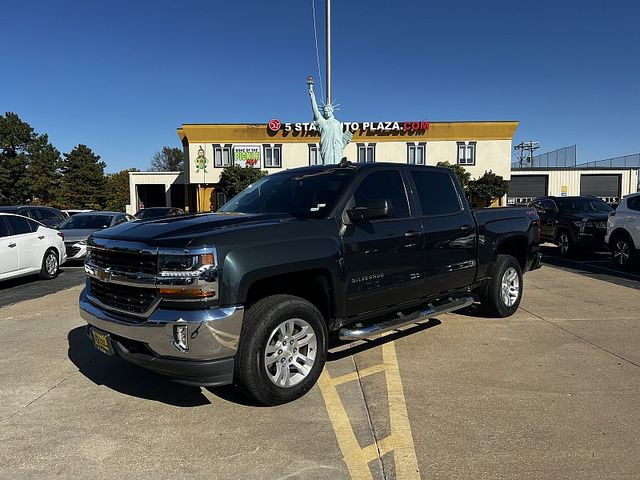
78	228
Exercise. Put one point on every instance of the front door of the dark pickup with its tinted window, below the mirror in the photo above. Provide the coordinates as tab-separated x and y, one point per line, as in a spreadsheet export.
384	257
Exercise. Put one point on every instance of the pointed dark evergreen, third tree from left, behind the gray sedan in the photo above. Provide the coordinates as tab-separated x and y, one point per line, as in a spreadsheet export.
83	183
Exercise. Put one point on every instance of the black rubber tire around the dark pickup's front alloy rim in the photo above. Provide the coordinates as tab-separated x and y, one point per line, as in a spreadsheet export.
260	322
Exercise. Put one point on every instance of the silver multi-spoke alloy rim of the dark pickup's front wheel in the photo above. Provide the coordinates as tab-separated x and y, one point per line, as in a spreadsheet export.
290	352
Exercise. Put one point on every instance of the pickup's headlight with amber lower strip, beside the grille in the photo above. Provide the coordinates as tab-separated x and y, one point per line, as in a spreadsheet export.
188	273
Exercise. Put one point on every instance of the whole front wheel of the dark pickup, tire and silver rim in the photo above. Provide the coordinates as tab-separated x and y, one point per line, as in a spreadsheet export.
282	349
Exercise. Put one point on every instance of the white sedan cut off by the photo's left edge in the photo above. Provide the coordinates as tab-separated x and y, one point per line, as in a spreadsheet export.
28	247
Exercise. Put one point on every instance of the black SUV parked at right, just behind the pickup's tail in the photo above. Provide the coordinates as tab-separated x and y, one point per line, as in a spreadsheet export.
573	223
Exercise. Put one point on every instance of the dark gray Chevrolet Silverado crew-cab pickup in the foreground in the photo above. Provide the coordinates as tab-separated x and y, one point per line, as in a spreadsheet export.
250	294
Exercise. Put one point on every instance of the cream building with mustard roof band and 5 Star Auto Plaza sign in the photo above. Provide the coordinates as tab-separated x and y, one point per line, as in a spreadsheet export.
208	148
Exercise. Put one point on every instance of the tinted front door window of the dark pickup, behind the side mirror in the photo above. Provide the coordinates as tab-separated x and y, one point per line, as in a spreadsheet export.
386	185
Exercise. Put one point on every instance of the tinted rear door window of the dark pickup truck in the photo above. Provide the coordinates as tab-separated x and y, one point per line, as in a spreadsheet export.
436	192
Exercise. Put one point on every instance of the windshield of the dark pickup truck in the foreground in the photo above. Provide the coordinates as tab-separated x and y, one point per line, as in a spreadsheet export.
310	194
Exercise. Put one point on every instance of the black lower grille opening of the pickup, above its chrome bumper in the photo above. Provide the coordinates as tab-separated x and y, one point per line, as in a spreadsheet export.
123	297
